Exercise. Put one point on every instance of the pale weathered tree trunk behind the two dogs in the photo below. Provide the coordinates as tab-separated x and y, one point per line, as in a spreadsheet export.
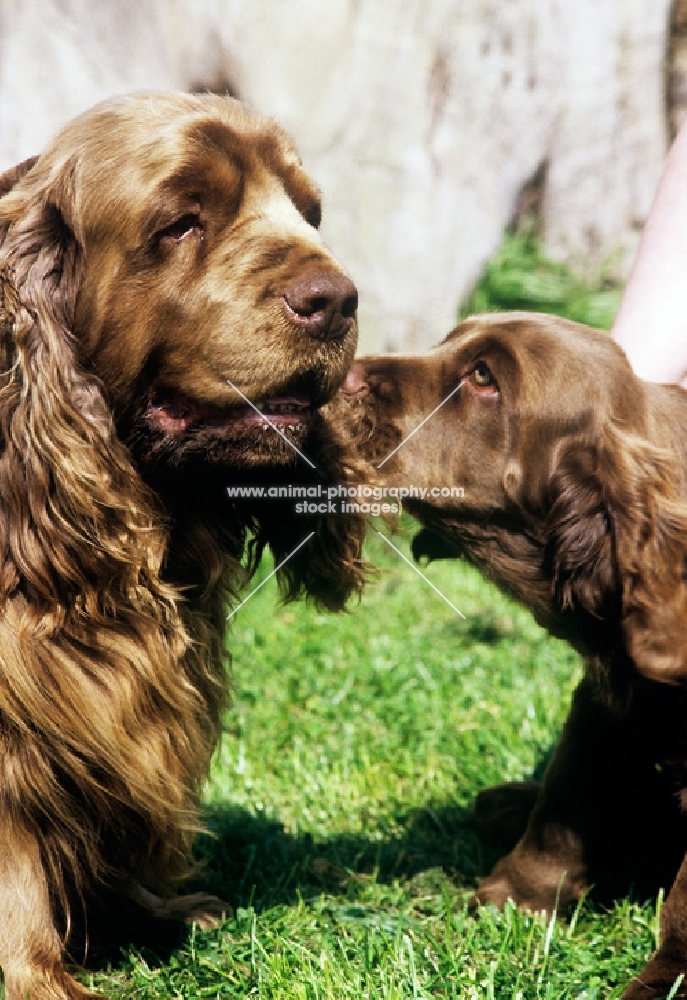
423	122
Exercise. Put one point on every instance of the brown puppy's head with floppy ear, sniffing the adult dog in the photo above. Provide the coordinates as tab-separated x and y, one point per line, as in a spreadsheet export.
572	472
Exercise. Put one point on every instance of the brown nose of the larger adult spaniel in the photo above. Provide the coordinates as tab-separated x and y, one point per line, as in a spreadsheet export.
323	305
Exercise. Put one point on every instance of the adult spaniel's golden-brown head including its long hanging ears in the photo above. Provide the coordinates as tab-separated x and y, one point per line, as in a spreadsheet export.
167	297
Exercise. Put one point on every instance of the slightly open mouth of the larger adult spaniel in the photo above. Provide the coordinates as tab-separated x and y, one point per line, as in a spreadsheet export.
174	413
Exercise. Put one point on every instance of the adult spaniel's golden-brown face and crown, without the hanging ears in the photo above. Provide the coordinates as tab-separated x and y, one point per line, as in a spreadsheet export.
179	246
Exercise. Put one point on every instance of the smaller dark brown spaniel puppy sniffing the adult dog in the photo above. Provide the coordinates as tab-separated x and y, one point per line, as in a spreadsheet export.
574	503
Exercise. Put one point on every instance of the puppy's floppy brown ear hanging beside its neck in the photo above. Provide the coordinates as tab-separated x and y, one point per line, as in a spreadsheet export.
617	542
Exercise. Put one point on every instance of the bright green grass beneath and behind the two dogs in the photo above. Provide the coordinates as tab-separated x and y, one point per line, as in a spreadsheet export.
339	801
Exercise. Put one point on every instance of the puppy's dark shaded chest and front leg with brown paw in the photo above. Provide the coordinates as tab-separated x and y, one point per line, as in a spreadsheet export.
605	815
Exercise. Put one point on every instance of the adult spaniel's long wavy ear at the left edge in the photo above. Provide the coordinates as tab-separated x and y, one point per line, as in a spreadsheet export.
74	511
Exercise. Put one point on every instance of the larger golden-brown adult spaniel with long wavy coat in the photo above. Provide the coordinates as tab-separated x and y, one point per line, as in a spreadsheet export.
160	248
